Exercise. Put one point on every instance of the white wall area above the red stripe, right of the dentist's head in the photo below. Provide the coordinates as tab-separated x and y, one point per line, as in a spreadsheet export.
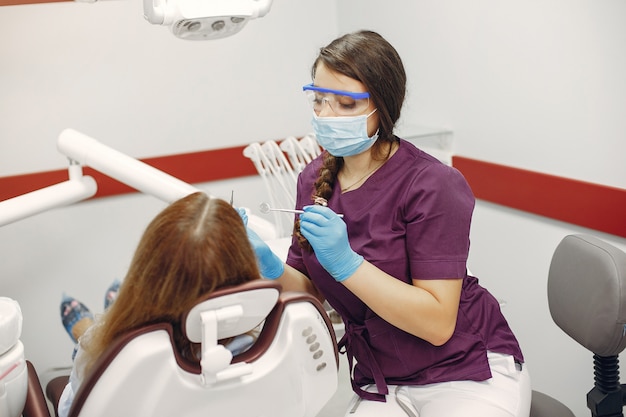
537	85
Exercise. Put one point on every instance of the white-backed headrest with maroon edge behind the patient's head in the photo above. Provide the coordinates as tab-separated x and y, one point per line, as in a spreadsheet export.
256	299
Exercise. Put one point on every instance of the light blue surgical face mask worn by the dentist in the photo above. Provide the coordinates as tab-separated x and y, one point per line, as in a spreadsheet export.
343	136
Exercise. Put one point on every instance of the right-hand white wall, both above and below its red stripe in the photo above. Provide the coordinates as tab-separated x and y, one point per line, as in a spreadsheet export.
537	85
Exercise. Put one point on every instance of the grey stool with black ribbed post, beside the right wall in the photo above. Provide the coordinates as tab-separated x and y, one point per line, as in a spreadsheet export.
587	300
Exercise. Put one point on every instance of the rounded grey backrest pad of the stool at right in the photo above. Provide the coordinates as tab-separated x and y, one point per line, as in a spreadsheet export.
587	293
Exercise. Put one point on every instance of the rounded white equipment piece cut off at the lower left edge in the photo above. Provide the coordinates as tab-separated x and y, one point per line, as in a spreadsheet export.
13	370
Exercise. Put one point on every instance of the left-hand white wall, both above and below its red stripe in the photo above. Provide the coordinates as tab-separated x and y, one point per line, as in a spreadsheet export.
103	70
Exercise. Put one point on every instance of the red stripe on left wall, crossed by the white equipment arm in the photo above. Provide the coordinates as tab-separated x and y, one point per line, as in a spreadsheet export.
193	168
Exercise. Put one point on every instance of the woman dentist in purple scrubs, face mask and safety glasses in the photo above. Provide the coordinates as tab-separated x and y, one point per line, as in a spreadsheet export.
423	338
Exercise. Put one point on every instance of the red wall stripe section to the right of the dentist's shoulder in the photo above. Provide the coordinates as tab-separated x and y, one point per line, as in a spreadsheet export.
590	205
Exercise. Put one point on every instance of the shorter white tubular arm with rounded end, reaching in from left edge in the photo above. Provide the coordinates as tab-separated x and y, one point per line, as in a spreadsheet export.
57	195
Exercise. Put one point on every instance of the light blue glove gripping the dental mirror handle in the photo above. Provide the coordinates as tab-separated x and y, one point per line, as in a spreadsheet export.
328	236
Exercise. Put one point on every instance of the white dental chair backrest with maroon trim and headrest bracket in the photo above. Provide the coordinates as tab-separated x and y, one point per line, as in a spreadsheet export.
291	369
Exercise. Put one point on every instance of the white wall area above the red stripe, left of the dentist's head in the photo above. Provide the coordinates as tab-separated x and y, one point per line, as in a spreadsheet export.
105	71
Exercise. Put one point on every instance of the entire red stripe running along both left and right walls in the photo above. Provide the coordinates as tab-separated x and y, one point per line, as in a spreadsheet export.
590	205
